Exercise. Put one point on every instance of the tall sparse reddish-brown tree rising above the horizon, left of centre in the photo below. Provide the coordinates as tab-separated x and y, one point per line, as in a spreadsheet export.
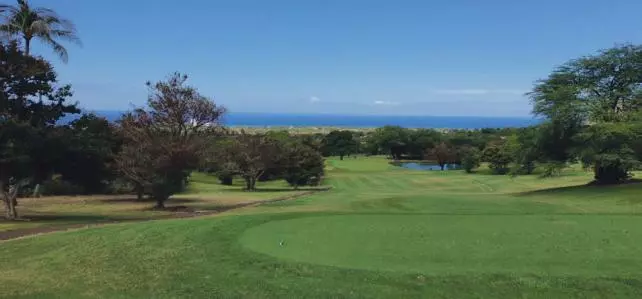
166	141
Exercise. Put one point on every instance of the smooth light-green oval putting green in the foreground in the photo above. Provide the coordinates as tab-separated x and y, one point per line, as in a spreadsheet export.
436	244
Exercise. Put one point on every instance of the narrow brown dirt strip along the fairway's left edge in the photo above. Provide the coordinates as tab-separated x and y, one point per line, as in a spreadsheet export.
181	212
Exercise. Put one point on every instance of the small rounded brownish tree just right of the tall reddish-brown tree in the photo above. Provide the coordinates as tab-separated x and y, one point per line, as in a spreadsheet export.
250	156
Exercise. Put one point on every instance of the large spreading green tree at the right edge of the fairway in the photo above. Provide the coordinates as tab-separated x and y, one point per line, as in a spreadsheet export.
588	94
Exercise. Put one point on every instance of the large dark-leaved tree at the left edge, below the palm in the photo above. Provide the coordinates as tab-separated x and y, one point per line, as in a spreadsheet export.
30	105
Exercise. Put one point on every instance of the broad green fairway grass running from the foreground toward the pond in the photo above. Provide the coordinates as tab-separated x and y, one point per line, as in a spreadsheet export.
382	232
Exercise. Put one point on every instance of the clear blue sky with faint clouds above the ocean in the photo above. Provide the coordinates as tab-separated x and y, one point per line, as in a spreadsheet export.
460	57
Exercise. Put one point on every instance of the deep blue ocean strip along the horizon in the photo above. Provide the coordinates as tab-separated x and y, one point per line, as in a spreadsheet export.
241	119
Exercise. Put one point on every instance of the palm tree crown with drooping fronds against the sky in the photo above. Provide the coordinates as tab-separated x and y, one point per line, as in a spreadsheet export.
26	23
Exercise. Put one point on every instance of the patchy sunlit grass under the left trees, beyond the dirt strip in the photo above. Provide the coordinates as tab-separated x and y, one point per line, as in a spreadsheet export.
203	194
